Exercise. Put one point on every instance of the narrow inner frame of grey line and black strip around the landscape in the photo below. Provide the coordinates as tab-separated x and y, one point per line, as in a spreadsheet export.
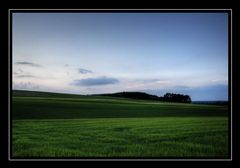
130	11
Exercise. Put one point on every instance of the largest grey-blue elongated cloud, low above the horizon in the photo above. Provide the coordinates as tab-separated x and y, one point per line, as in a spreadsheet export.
95	81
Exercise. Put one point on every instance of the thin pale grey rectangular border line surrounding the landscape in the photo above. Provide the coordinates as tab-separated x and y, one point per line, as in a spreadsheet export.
50	159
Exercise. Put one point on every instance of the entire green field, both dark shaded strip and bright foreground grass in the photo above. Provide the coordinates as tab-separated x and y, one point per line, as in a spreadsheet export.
61	125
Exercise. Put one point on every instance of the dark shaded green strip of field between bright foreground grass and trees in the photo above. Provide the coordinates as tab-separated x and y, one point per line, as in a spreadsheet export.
72	108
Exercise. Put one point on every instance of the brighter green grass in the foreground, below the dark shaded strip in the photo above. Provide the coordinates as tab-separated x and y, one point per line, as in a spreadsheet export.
130	137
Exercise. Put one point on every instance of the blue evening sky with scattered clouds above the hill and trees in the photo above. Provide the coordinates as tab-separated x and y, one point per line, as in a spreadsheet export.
92	53
